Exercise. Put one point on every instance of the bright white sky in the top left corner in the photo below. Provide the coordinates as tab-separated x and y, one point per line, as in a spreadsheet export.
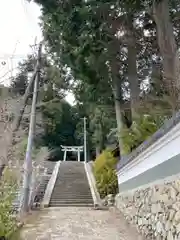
19	28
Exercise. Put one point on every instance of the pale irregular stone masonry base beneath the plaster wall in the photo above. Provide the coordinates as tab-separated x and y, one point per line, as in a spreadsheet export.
155	209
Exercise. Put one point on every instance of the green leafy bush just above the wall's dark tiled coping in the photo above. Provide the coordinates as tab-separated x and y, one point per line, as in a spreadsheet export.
141	129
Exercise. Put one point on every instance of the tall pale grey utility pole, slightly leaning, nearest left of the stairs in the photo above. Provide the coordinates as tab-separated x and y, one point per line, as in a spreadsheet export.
28	168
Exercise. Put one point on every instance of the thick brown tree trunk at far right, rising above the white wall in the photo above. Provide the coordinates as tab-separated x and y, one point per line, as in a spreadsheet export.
168	49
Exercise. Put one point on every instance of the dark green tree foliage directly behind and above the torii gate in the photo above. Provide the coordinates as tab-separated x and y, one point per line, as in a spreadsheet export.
59	124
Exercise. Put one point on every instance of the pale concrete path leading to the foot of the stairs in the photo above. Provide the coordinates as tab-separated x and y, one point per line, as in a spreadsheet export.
78	223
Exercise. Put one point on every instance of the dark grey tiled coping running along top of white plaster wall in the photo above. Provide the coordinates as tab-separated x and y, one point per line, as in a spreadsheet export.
168	125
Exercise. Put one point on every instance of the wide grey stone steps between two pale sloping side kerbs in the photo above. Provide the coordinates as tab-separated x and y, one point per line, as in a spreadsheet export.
71	187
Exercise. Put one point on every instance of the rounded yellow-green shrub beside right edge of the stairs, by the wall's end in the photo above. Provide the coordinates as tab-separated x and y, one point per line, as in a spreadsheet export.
105	174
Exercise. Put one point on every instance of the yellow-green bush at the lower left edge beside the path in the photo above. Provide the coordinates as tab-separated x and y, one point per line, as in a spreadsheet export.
8	186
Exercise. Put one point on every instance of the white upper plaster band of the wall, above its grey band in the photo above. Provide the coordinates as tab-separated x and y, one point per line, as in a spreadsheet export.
165	148
